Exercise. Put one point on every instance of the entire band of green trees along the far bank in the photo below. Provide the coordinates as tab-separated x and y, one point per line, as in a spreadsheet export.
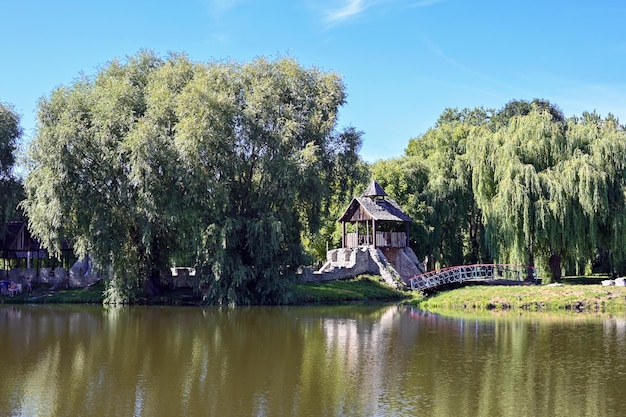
240	170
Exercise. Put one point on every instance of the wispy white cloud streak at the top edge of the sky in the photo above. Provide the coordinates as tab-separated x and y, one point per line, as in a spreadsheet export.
346	10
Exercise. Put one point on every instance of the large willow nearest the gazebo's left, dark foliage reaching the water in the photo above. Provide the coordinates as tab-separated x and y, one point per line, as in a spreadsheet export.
258	139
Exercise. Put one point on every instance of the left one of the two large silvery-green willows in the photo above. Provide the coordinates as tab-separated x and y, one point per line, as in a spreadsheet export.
85	179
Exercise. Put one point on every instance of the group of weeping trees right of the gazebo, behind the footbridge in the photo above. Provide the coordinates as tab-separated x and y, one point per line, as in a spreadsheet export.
522	184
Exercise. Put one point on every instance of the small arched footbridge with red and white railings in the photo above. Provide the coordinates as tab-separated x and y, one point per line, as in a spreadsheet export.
433	279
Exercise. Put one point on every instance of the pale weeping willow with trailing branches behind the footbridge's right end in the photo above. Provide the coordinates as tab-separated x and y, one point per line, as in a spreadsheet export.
509	166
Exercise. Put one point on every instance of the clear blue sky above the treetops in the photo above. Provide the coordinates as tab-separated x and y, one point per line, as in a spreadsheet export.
402	61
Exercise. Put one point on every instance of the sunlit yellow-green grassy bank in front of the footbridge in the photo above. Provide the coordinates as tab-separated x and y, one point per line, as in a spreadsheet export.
577	297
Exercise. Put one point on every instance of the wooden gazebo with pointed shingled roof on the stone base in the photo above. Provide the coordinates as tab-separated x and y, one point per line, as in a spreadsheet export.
370	212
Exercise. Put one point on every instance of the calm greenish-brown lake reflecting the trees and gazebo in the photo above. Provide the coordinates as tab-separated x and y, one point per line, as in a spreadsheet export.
307	361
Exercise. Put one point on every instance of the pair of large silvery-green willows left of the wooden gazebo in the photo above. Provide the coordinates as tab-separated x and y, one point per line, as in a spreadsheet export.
219	165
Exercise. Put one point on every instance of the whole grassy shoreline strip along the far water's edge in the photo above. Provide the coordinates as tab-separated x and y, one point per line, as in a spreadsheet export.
577	297
